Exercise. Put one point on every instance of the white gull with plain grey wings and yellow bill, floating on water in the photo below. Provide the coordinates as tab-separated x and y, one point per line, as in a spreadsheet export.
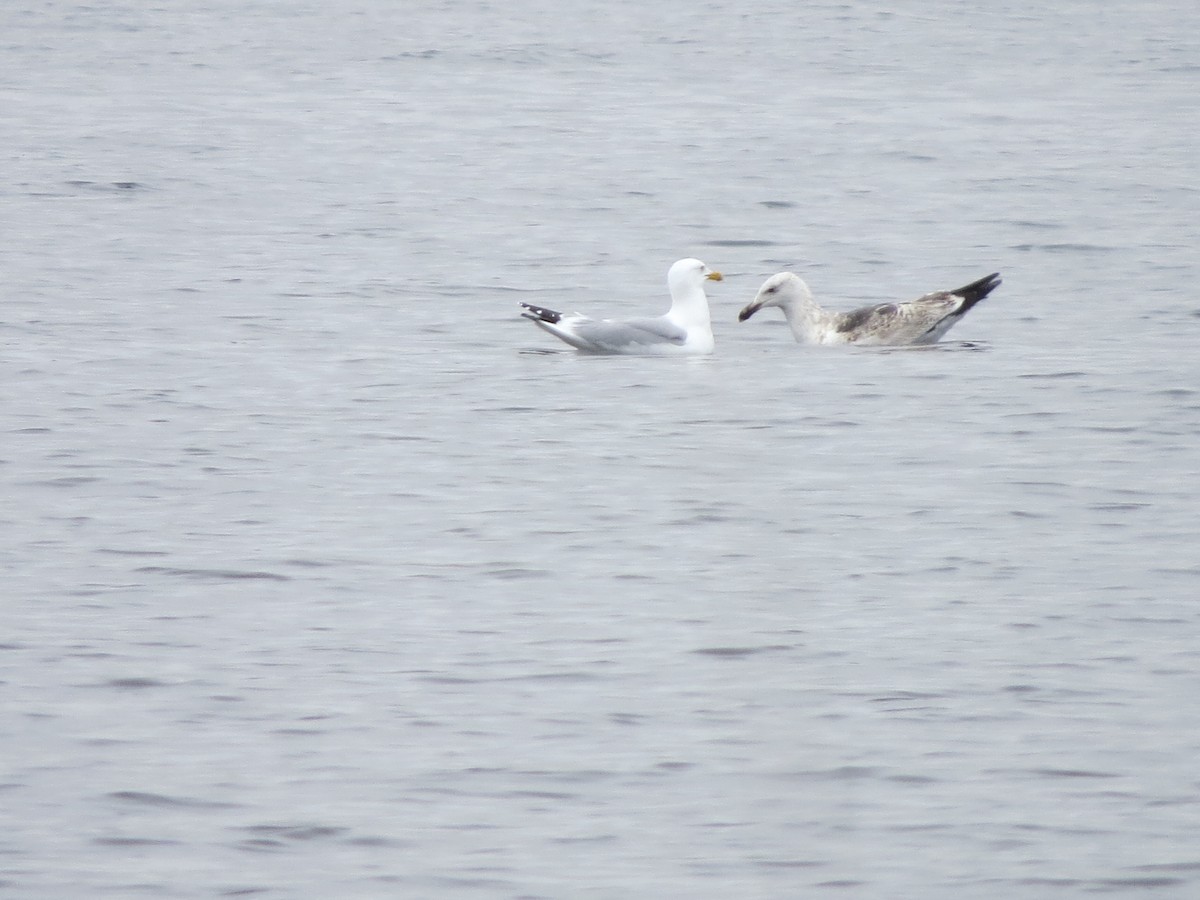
686	329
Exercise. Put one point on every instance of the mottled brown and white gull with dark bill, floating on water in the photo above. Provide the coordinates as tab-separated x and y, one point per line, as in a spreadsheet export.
917	322
